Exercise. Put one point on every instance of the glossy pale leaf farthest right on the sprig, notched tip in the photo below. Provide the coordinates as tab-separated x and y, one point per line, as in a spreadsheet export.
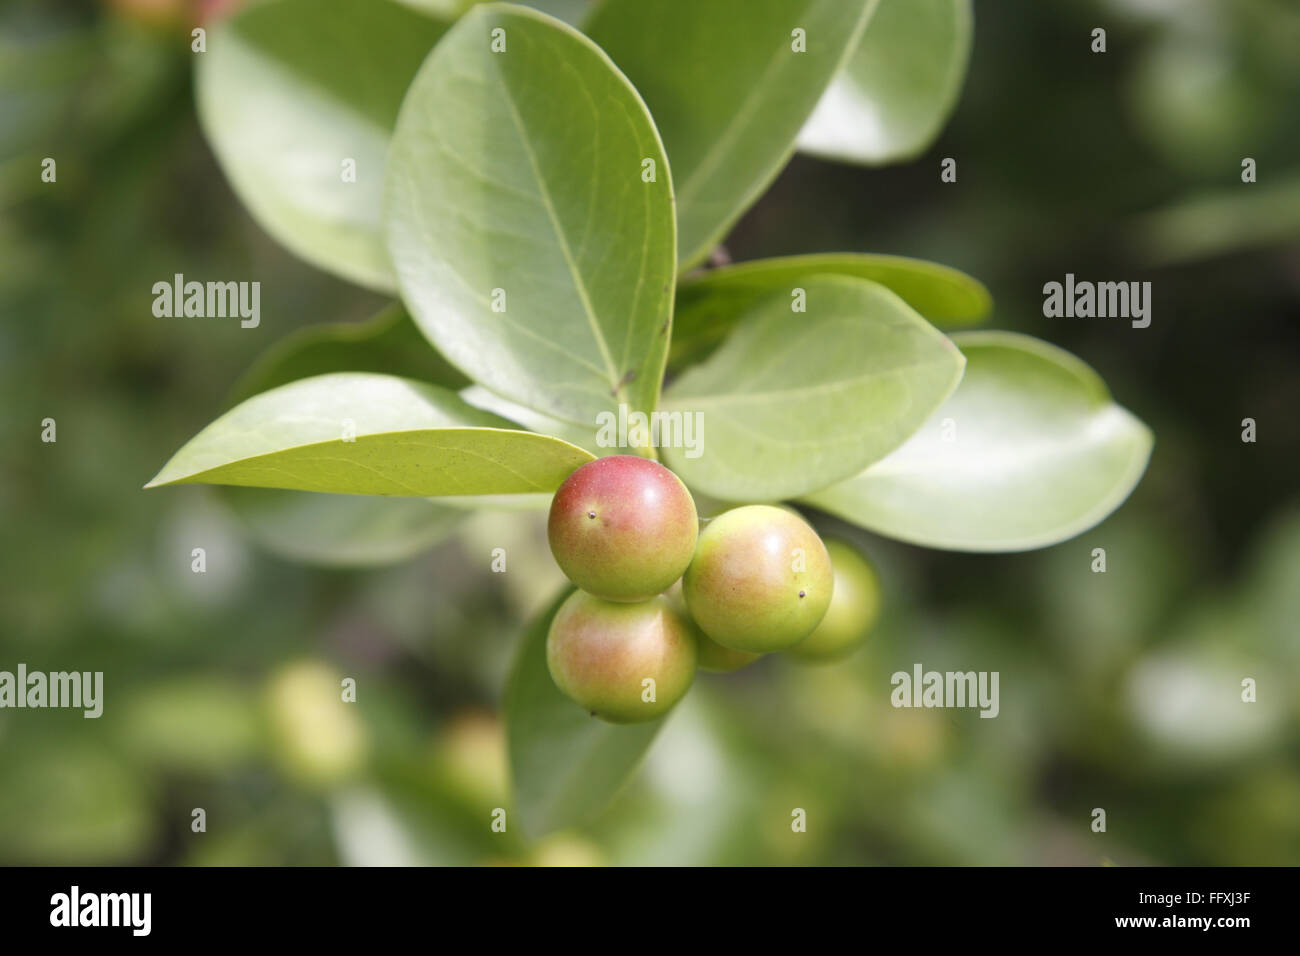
1035	453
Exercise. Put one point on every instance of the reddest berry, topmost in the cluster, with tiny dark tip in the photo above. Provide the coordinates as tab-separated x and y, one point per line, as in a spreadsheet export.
623	529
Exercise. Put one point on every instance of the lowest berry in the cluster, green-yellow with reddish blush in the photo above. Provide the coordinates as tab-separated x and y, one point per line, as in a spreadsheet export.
623	663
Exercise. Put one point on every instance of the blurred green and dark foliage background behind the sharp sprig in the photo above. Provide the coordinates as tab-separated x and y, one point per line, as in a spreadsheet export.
1123	166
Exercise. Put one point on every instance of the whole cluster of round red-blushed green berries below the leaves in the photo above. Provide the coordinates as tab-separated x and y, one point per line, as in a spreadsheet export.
660	598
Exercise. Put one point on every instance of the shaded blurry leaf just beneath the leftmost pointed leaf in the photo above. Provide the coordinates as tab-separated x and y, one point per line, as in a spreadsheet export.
341	530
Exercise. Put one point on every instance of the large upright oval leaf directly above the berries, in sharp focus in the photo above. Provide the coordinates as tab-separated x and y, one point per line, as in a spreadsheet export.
522	172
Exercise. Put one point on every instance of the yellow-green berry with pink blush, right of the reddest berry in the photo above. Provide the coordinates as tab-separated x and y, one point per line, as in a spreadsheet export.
761	579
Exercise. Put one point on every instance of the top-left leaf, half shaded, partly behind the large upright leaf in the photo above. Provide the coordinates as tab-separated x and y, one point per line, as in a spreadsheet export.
291	90
